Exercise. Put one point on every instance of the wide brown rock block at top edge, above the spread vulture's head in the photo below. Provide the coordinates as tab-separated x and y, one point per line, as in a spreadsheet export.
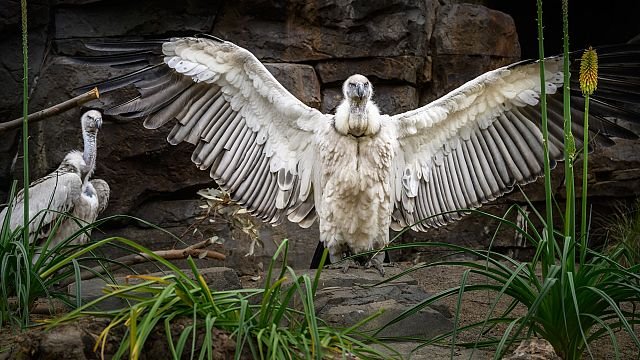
303	31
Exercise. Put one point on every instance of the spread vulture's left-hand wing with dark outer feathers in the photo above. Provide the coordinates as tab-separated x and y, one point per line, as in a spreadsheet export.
255	137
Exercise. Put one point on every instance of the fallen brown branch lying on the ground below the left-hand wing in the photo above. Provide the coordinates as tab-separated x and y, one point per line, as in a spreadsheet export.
196	250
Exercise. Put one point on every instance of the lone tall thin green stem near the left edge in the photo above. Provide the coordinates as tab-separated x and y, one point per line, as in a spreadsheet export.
25	123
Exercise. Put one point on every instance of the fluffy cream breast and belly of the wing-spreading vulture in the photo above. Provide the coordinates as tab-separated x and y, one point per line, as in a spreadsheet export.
355	202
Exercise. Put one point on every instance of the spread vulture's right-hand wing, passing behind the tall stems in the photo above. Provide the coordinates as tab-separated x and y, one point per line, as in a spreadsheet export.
478	141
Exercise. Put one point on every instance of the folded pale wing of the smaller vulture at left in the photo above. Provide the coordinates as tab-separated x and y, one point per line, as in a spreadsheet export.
49	196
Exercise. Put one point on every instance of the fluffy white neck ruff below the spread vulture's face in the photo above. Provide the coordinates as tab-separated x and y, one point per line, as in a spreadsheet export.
357	118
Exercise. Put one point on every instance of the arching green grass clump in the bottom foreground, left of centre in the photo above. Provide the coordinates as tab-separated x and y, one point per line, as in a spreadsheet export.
264	323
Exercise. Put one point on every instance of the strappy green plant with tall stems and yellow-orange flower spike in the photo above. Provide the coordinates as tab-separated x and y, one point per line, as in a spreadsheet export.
570	300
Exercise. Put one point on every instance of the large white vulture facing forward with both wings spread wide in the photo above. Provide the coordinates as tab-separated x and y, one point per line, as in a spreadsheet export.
357	171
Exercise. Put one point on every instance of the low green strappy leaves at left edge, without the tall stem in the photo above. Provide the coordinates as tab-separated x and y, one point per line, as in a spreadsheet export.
29	273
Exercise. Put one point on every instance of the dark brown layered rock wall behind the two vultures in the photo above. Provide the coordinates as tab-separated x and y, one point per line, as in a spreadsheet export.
413	51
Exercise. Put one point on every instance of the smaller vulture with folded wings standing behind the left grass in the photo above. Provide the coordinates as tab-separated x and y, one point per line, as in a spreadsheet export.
68	189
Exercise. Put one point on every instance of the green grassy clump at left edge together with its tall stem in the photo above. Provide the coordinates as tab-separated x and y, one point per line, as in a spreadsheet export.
26	276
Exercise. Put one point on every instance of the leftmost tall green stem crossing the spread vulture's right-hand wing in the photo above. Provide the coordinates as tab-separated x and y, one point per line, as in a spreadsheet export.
549	258
